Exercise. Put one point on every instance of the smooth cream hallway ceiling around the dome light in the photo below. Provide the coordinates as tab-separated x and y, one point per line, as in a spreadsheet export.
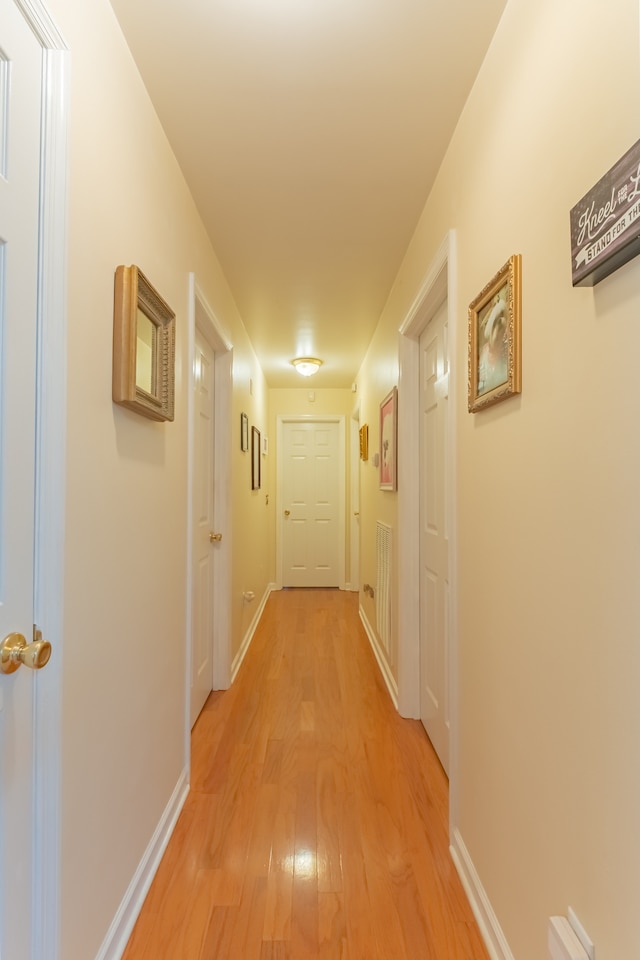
310	133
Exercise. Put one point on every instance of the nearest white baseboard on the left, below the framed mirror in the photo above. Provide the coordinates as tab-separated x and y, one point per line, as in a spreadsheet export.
119	932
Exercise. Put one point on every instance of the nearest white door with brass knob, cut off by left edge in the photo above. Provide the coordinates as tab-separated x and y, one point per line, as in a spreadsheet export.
20	95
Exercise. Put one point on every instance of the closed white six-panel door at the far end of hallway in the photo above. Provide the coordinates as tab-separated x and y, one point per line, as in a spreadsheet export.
312	485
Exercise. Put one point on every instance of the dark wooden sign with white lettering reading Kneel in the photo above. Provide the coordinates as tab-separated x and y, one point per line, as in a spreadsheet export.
605	224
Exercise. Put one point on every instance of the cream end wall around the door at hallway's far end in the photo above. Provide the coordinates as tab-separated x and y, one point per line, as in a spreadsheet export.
297	402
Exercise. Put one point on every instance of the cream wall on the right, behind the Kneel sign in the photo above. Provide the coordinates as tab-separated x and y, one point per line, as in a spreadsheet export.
548	511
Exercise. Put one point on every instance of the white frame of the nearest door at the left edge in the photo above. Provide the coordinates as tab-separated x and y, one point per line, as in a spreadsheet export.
50	478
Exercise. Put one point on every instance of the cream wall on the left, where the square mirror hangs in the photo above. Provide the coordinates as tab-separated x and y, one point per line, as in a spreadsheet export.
125	597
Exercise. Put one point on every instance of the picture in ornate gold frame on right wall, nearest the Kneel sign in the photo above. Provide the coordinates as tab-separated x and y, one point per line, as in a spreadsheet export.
494	339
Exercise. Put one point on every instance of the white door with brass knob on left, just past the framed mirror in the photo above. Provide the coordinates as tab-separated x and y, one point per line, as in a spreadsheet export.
203	546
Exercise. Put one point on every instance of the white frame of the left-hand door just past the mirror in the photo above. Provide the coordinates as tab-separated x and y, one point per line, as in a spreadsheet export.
202	316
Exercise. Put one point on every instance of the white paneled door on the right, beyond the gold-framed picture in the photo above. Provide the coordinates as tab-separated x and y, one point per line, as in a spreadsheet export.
434	536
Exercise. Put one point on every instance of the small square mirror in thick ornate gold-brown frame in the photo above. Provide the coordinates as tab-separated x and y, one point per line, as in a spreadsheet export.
144	339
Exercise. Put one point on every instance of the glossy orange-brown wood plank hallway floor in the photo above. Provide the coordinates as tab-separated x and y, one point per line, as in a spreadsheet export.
316	826
